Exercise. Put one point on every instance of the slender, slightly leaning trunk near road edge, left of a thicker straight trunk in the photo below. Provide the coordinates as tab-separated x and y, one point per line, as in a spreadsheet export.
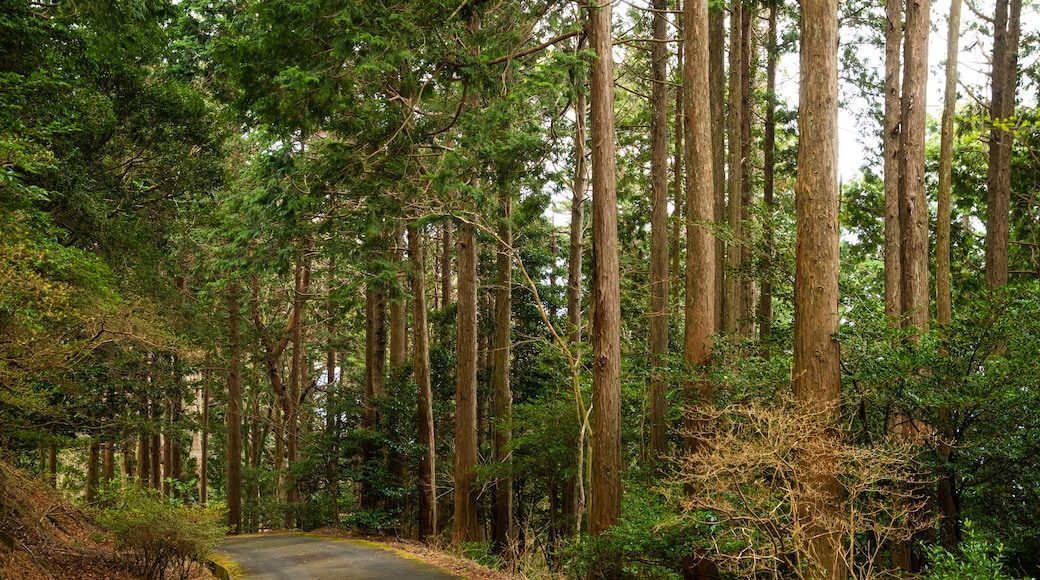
421	366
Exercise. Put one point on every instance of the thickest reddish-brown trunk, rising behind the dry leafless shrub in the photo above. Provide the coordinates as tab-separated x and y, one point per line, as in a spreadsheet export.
816	372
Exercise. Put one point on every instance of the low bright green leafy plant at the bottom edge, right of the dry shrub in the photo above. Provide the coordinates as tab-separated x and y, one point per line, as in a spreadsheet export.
978	559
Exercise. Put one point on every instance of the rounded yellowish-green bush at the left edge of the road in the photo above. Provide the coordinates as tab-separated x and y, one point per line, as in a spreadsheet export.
157	535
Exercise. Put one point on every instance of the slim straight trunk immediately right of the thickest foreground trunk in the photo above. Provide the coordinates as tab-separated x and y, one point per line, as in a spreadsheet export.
891	143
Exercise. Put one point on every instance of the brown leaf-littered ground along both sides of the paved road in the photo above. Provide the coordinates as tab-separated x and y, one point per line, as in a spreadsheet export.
45	537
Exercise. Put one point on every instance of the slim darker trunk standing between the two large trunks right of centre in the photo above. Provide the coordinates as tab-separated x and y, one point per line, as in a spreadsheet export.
659	235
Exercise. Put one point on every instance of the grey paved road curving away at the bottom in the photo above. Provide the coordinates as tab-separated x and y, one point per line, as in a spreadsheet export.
295	557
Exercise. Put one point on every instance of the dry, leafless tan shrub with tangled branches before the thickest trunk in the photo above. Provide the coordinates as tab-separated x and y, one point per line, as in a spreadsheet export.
744	483
